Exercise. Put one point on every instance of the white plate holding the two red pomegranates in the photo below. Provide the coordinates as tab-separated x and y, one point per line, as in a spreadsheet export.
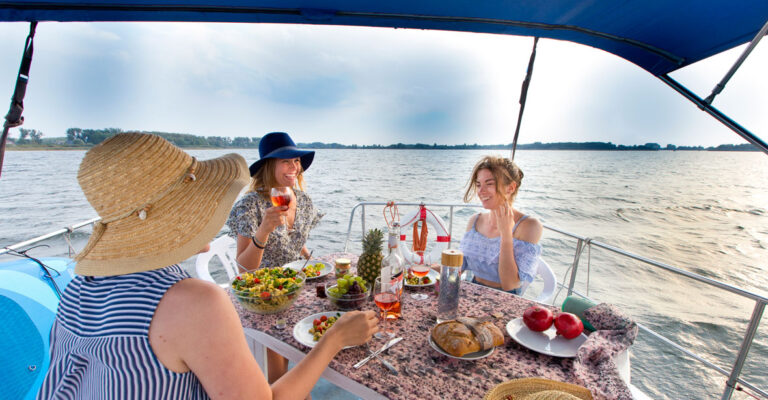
546	342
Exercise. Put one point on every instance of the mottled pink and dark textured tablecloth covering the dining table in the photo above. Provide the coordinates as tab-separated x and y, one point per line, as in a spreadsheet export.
425	373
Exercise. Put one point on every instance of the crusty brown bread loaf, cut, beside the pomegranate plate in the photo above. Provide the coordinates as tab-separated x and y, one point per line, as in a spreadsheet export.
466	335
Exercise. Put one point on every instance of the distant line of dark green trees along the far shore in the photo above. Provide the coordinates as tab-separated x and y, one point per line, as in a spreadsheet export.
83	138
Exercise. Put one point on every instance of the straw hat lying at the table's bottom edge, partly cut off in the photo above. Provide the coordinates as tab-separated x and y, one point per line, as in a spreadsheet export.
537	389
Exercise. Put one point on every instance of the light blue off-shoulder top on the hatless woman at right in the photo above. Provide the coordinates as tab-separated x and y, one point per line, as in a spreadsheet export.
481	255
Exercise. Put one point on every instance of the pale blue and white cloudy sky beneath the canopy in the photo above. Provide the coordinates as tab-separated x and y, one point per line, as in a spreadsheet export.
362	85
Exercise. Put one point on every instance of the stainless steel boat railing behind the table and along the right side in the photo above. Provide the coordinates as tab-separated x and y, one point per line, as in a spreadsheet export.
582	242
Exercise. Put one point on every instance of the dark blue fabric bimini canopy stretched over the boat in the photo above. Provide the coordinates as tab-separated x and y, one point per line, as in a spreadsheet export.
660	36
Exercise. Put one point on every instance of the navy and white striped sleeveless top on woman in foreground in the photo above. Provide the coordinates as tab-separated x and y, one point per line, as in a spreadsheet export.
100	341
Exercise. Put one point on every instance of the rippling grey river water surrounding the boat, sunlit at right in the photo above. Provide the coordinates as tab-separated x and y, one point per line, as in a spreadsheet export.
705	212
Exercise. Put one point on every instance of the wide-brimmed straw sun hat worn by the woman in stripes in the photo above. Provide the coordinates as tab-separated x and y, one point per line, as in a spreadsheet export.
158	205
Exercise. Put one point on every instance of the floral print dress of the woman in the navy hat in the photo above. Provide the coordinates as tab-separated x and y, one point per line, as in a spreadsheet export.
282	246
